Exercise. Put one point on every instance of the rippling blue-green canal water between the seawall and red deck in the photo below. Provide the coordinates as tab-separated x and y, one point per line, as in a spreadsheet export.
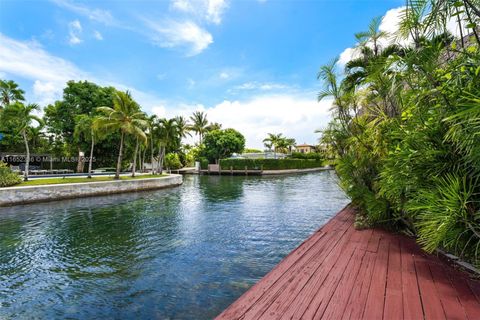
180	253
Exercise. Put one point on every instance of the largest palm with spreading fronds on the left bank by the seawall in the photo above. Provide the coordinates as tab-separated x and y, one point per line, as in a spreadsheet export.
124	117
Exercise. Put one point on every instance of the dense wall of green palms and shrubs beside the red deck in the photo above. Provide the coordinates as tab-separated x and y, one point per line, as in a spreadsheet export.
406	123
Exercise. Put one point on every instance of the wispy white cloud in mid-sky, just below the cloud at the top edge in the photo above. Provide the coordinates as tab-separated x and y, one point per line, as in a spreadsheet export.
183	34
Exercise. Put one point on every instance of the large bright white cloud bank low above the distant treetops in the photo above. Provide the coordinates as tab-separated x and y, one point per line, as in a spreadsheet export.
292	115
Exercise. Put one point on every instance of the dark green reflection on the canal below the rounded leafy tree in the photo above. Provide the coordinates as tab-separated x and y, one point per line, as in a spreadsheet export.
222	188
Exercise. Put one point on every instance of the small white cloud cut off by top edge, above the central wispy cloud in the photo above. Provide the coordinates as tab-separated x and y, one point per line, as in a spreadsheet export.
208	10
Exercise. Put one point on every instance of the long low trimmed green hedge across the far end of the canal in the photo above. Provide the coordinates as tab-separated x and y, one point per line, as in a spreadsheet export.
269	164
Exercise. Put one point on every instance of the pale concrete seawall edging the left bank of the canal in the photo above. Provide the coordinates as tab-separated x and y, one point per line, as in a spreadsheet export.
31	194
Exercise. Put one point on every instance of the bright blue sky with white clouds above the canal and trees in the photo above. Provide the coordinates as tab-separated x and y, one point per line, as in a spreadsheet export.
250	65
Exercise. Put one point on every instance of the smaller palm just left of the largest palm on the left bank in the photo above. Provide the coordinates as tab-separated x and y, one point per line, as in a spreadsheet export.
85	130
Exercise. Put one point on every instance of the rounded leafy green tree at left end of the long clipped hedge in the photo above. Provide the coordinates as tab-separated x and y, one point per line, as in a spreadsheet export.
221	144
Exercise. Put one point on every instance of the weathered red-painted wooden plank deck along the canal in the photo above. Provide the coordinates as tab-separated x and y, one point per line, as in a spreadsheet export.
342	273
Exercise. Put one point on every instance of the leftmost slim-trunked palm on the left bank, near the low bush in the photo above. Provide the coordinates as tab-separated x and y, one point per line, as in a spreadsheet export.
21	115
